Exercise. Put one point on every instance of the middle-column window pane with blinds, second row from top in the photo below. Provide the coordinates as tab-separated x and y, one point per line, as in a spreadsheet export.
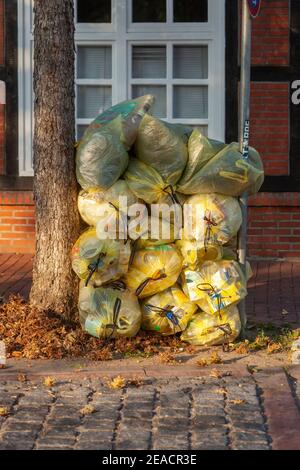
149	62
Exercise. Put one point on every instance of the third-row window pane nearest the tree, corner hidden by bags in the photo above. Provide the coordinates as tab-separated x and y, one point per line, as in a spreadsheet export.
92	100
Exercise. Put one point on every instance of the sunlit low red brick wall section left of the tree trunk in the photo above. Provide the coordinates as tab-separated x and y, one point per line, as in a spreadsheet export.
16	222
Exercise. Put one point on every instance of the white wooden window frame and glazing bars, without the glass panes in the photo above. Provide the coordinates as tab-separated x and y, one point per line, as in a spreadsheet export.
121	34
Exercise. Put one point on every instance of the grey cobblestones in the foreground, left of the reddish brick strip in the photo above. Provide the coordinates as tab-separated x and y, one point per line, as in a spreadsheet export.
176	414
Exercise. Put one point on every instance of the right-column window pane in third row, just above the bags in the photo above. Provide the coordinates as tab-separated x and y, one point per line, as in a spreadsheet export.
190	102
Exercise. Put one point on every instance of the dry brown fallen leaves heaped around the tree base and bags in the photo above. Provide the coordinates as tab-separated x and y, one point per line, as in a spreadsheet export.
34	334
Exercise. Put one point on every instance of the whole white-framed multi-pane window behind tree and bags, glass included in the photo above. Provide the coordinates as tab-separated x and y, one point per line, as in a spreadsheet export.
173	49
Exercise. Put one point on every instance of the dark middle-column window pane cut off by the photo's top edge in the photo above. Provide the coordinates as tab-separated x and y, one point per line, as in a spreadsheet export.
149	11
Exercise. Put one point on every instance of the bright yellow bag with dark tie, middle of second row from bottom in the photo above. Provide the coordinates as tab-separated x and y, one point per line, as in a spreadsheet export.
153	270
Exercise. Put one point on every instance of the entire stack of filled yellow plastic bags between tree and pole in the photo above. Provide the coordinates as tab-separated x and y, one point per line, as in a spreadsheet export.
161	200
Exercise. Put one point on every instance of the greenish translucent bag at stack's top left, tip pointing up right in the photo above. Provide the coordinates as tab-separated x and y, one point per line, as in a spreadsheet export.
101	156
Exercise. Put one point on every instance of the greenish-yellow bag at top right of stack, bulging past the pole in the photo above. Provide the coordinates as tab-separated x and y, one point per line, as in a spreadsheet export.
227	173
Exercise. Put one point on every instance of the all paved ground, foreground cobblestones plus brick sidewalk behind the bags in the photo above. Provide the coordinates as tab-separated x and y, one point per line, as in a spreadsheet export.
247	402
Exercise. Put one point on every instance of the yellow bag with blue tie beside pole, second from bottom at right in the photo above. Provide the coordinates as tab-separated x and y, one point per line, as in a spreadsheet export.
216	285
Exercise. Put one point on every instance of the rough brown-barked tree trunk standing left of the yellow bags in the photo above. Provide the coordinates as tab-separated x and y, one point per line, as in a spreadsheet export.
55	189
